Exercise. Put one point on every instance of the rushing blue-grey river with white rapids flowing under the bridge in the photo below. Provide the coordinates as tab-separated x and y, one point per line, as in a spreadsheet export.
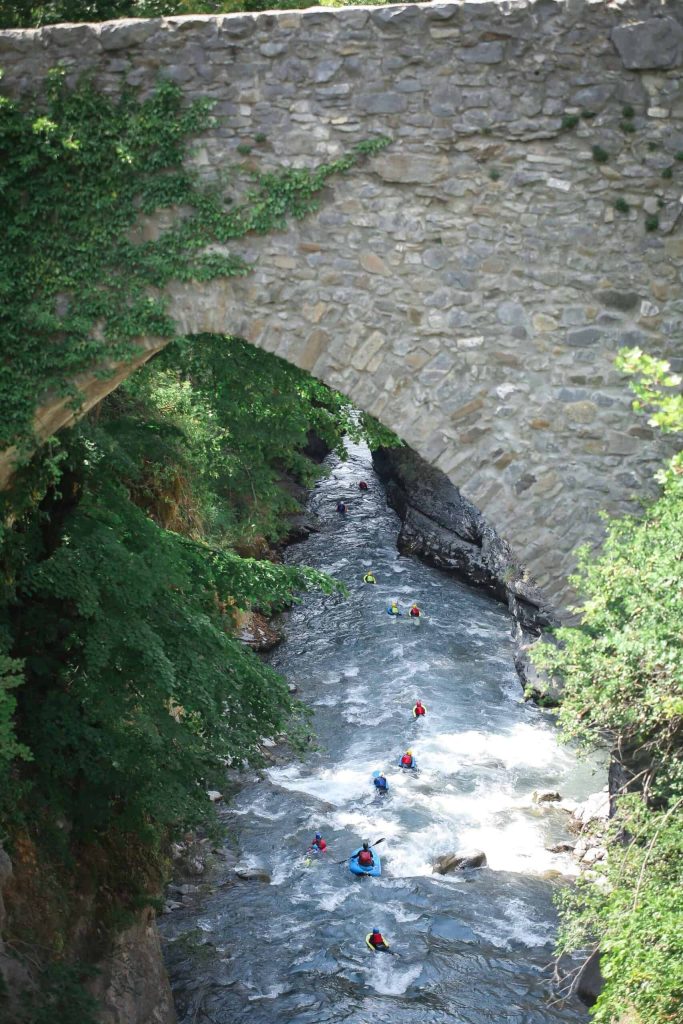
473	947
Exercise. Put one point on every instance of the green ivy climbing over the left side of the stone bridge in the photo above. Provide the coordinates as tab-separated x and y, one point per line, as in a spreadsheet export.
96	165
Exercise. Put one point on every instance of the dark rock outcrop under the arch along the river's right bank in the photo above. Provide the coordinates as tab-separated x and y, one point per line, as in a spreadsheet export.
447	531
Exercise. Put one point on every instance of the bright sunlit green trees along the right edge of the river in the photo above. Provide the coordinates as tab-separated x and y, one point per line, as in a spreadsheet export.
623	670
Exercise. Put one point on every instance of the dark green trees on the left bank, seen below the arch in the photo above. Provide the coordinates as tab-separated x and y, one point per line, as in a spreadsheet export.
123	691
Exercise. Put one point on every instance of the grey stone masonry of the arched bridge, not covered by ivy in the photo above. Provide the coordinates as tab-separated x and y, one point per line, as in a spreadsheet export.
472	285
